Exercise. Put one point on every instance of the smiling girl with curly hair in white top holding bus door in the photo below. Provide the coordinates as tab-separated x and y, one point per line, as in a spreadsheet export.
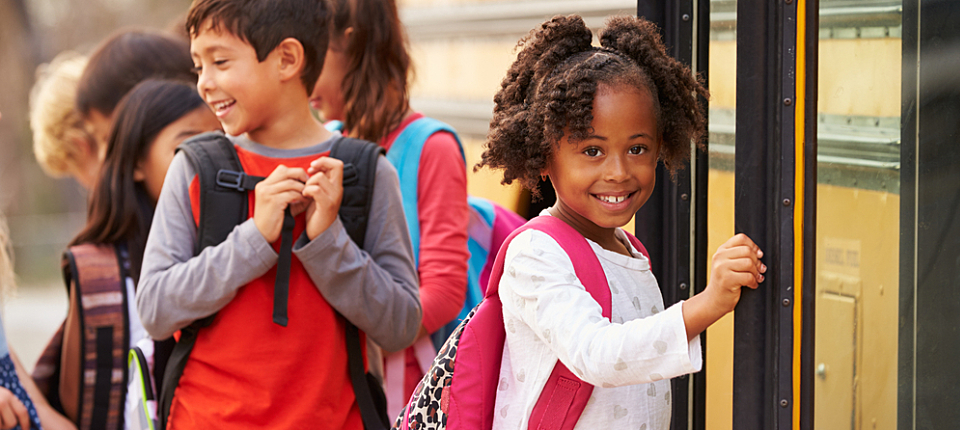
595	120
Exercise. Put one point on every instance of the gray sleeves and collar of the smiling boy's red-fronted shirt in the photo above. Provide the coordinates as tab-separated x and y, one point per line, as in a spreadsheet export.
374	287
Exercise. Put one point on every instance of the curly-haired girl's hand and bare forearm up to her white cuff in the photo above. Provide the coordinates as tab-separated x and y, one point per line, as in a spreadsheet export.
736	264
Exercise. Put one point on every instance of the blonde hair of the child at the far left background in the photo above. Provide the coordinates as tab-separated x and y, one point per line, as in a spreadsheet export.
54	118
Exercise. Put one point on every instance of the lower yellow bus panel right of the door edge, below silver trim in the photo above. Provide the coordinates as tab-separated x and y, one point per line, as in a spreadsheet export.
858	246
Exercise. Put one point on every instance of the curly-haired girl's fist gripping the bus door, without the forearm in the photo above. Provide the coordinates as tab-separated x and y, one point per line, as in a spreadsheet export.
735	264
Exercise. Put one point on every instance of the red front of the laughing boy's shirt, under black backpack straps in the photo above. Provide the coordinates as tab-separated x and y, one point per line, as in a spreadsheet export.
247	372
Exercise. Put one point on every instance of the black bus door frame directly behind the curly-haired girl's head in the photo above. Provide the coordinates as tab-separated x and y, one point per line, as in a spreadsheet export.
664	222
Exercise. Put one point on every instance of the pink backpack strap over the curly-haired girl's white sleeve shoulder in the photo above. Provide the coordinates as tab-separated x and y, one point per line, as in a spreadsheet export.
565	395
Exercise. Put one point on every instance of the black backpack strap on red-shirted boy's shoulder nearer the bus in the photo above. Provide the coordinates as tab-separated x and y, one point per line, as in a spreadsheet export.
360	160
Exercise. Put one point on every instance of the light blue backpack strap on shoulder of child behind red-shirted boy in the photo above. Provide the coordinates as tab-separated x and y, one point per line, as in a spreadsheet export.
404	154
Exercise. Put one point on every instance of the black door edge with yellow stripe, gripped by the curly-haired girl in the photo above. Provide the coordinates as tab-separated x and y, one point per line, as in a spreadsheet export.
776	181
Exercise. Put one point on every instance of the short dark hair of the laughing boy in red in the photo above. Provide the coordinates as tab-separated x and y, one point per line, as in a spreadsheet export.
265	23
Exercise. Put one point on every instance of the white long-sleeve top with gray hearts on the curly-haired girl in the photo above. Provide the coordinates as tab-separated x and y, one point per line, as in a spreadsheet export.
549	315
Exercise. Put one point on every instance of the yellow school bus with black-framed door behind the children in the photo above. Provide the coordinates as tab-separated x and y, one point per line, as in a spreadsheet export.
833	141
